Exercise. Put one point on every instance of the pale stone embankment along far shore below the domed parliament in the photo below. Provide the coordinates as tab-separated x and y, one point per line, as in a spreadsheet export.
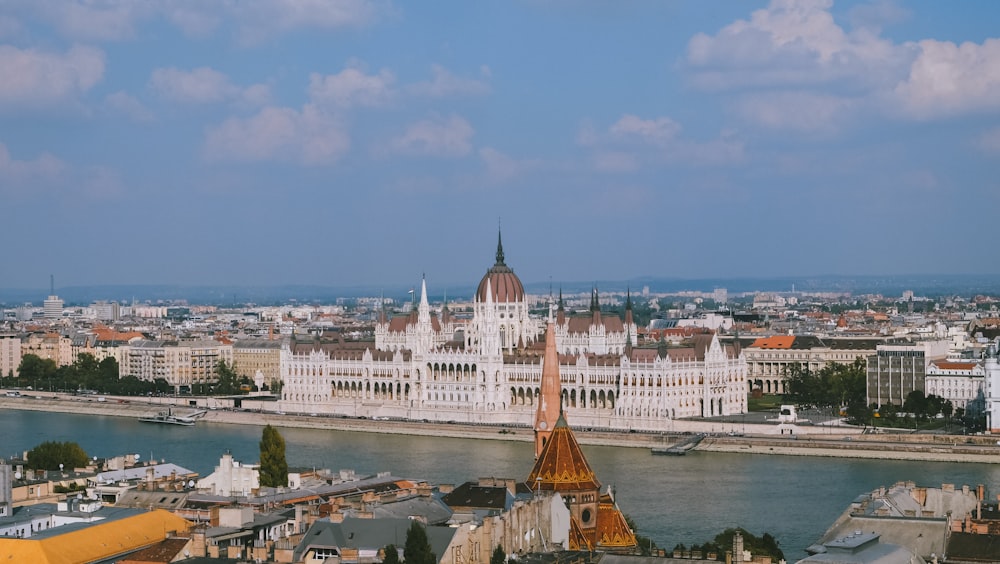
842	443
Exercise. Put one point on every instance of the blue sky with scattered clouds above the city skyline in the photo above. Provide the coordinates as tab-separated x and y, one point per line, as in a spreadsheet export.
368	142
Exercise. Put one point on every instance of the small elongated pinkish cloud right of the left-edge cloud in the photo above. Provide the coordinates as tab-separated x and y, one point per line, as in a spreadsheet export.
204	85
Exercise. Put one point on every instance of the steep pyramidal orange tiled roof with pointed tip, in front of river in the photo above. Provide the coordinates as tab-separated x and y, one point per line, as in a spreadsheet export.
561	464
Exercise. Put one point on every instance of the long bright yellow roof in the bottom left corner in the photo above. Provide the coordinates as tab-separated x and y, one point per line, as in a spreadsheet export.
97	542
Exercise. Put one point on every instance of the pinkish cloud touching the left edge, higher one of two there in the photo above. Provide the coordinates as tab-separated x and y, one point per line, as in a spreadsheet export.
36	78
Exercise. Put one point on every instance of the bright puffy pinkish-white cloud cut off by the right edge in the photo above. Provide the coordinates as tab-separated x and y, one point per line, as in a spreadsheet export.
948	79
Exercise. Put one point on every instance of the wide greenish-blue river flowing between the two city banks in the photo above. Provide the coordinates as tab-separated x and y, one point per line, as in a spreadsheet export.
672	499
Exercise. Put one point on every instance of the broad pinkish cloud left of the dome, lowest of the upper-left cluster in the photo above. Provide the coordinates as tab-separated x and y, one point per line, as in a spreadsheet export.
309	136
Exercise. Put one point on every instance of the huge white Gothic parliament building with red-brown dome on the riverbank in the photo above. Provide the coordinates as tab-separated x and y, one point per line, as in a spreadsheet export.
424	366
